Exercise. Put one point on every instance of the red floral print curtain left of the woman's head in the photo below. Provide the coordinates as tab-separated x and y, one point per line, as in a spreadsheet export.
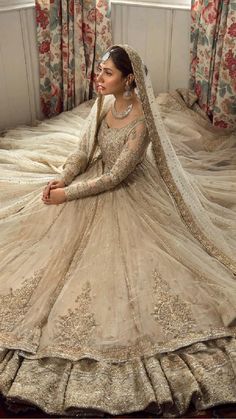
72	35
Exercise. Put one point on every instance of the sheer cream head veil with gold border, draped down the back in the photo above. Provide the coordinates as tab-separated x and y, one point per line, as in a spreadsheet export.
178	184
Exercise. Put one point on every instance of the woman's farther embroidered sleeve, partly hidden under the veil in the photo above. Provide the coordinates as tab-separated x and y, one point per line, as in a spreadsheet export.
75	163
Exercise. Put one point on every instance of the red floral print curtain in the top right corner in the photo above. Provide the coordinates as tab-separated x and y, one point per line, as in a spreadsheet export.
213	59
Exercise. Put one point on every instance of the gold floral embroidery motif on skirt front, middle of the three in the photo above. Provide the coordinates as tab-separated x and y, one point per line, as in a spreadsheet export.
77	325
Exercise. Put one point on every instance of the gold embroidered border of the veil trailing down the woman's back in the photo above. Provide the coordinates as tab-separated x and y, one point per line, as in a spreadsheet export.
175	189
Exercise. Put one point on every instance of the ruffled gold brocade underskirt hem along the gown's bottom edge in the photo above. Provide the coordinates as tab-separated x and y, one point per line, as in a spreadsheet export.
164	383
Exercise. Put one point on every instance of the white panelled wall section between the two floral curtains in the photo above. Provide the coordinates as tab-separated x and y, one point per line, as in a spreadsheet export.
161	36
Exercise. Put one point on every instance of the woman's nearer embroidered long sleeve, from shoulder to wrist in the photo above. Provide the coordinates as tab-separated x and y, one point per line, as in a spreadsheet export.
128	159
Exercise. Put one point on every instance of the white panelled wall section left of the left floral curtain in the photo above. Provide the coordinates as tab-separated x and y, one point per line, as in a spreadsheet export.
19	77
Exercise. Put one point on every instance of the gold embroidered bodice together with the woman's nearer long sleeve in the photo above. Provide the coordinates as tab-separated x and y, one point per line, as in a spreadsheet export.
120	158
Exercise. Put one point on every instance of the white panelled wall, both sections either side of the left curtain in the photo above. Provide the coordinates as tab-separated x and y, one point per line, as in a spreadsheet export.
161	35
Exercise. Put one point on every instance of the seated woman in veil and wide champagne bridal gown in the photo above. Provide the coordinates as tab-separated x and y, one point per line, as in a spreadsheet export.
123	299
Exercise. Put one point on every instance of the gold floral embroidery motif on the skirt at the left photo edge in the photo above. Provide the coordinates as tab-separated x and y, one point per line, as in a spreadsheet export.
14	305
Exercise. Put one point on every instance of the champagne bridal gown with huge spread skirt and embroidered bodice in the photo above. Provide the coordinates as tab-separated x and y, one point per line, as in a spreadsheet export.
107	302
